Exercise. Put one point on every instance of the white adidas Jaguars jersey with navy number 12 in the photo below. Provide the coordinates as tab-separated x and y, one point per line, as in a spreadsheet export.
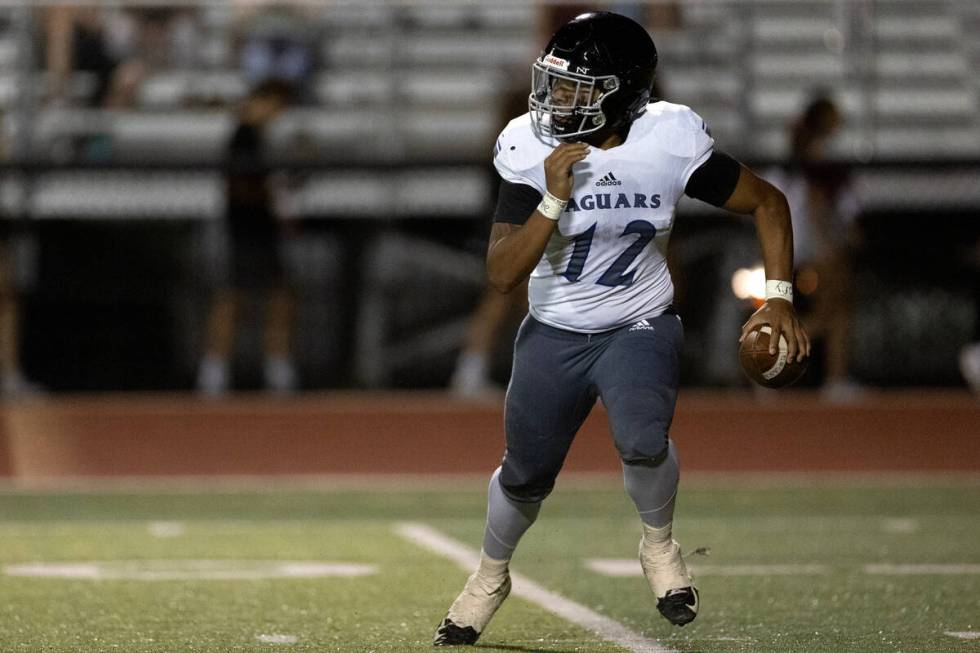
605	265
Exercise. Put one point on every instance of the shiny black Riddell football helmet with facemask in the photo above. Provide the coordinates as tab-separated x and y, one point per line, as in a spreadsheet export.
595	73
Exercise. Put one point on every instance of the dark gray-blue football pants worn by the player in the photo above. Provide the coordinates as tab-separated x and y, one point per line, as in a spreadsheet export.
557	376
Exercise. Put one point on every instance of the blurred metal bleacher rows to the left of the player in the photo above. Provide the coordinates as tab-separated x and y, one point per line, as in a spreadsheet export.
399	84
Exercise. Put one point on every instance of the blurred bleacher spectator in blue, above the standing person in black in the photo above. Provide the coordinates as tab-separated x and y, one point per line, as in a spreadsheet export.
278	42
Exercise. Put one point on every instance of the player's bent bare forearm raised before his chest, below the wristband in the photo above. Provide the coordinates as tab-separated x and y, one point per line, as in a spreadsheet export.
512	257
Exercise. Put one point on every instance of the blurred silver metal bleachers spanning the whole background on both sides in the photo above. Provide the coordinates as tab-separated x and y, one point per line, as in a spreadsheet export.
416	82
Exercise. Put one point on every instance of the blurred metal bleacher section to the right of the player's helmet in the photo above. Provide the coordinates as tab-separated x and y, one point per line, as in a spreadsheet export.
905	75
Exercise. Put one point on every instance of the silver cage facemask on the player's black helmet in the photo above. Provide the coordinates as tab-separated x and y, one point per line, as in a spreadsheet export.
564	104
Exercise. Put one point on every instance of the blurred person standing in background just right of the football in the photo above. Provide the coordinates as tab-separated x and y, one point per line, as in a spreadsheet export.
824	238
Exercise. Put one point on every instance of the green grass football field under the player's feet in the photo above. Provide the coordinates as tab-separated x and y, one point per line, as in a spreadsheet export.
822	598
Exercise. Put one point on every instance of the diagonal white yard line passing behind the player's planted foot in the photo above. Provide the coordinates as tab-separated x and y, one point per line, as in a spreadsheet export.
578	614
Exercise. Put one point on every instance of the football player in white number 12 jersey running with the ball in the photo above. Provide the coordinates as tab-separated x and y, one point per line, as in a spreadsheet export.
590	180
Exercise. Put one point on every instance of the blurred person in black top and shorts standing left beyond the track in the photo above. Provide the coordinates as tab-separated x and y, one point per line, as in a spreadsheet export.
255	233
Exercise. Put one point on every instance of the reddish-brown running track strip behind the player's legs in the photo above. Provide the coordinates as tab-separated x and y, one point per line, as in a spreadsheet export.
429	433
